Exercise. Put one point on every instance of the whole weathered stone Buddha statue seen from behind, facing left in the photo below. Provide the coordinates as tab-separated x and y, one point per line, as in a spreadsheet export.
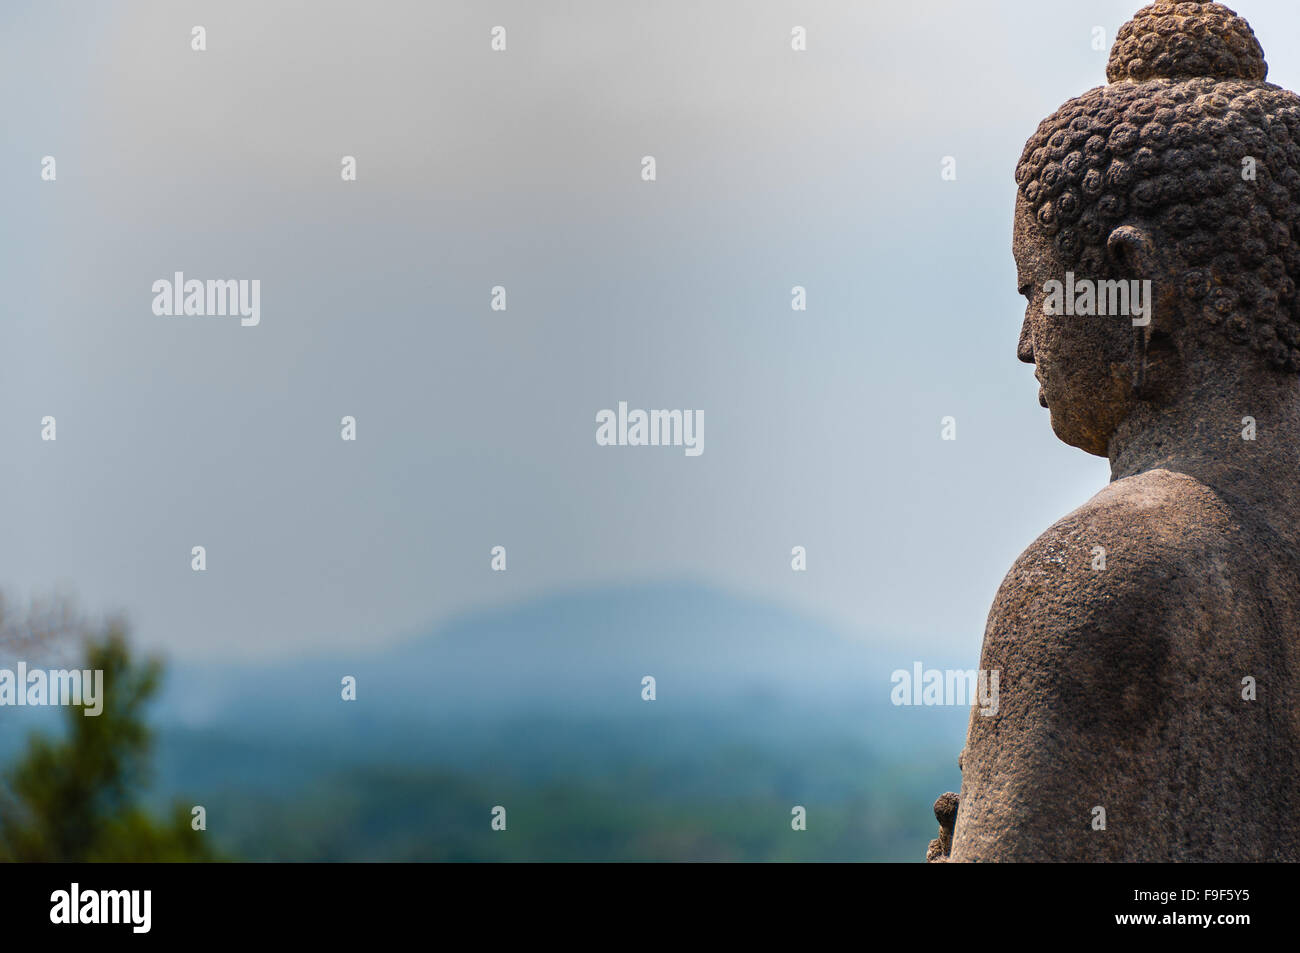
1149	644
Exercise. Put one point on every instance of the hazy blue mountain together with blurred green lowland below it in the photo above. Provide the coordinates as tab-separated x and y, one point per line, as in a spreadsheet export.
539	707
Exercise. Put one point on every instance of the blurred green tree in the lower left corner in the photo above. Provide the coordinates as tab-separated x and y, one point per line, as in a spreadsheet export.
77	799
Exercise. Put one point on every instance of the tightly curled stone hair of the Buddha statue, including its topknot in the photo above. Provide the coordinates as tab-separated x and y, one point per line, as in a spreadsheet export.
1193	144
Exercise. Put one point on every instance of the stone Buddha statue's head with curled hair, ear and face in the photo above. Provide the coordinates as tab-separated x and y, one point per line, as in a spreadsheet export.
1180	179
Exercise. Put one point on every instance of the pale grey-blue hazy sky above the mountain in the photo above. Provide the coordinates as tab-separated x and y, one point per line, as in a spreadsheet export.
476	428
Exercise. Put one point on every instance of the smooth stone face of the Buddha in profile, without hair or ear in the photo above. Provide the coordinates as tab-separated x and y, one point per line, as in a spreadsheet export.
1084	363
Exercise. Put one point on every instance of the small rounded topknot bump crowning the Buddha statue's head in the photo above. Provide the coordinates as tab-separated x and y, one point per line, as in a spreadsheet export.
1177	41
